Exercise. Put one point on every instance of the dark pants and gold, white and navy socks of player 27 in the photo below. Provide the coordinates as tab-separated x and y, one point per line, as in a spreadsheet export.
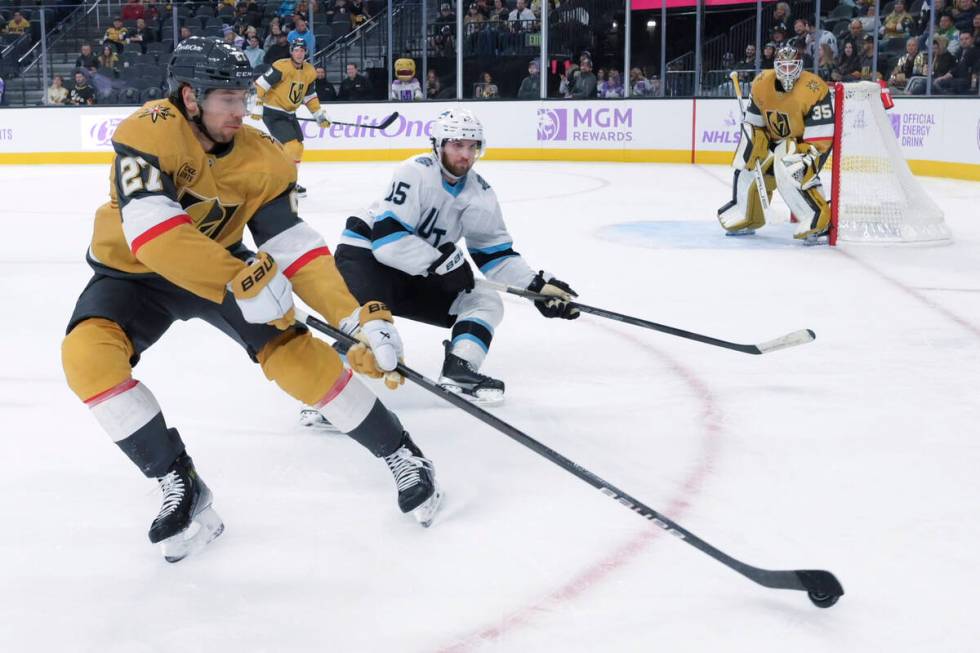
116	319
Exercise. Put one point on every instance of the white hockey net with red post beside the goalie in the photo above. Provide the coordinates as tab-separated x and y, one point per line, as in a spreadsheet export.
874	196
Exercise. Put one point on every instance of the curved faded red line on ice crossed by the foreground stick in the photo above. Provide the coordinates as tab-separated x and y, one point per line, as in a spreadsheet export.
627	552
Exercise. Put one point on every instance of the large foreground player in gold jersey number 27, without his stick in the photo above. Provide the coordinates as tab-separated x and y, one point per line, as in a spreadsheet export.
186	180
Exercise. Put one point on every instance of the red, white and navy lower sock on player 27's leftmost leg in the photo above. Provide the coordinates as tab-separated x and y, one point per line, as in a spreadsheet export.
131	416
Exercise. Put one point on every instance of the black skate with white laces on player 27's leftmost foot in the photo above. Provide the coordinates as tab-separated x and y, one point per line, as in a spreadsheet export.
186	522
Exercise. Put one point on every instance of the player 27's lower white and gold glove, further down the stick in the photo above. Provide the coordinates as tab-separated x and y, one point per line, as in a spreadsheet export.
379	347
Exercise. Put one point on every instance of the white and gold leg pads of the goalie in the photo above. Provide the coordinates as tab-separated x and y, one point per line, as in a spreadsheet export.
803	193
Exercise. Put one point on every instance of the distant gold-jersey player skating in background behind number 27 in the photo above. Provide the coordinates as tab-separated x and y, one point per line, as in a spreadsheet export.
287	85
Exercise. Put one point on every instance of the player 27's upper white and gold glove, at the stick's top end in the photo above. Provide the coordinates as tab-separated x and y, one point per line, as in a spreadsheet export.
264	294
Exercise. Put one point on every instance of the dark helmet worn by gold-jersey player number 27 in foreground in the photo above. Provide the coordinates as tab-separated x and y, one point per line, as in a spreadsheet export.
207	62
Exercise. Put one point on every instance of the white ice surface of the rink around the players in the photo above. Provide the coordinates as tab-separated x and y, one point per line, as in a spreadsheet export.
858	453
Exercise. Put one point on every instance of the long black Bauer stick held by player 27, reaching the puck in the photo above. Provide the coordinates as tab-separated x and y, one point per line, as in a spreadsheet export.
822	587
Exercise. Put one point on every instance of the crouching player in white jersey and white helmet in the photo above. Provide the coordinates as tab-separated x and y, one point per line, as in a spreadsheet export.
402	250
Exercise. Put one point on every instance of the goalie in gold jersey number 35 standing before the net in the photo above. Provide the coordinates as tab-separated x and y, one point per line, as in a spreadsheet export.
791	121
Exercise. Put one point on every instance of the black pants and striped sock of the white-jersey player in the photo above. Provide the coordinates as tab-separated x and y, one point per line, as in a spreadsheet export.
473	316
